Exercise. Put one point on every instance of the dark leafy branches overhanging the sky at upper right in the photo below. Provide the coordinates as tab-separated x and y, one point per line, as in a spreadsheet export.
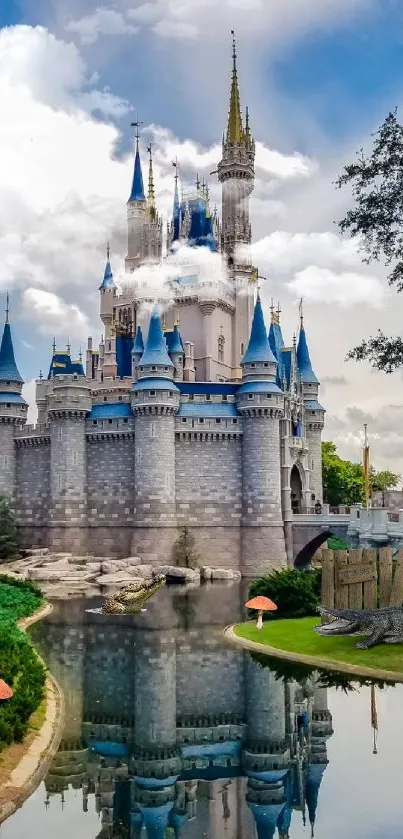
376	219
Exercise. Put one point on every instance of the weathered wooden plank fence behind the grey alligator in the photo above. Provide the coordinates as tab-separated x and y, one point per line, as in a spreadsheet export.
362	578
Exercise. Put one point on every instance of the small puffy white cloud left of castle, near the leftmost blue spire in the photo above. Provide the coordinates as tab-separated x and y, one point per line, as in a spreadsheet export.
53	315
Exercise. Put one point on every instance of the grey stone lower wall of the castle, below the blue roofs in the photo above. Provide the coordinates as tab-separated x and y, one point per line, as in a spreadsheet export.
124	487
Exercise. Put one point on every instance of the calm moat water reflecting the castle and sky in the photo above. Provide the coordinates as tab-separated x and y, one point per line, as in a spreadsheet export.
171	733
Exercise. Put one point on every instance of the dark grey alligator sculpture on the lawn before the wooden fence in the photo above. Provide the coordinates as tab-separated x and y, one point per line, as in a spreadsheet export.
381	625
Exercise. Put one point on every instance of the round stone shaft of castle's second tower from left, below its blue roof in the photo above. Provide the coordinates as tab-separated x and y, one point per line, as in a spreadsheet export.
69	404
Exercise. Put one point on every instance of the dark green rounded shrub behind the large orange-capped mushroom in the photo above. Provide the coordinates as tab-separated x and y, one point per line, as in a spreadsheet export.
295	593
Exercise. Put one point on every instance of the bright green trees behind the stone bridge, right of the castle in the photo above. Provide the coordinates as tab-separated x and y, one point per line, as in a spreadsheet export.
343	480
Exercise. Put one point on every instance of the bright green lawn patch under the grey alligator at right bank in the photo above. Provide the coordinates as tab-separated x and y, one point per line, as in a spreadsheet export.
298	636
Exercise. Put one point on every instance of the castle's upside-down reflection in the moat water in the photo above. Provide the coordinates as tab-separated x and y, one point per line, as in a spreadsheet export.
176	733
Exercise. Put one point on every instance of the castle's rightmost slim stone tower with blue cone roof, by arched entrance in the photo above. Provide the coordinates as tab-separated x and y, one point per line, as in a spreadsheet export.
314	415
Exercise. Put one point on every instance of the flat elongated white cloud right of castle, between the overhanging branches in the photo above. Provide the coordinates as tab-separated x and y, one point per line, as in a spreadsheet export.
346	289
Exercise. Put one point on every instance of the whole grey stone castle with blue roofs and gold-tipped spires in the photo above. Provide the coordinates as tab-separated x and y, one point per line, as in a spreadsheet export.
200	417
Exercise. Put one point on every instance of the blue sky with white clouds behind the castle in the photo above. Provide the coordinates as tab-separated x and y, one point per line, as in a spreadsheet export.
319	77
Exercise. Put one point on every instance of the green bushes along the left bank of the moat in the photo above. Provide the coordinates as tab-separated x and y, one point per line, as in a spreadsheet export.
19	664
